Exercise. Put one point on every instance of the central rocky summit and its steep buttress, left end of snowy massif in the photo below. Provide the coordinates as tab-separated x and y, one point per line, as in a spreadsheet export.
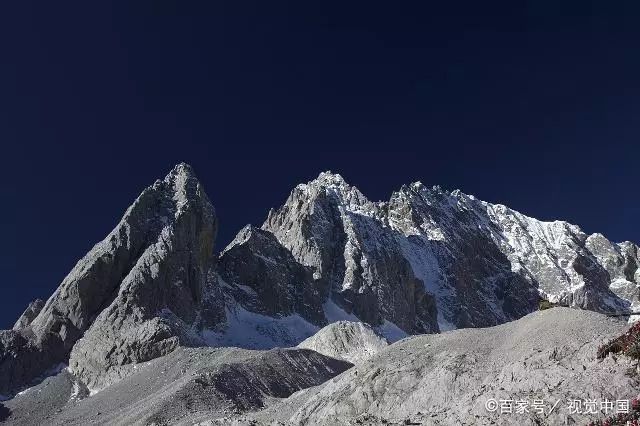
331	227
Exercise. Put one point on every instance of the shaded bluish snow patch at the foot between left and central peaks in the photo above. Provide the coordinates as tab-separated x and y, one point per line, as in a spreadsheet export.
250	330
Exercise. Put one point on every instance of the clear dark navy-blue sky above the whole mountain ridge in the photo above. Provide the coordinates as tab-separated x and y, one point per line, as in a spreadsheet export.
530	104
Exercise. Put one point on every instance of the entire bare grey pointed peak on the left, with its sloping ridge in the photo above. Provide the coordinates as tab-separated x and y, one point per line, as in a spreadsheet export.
135	296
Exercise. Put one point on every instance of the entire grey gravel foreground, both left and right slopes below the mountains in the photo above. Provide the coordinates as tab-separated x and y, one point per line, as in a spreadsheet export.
429	379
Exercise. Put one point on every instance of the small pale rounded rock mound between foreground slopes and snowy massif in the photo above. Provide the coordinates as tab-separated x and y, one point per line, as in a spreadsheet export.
351	341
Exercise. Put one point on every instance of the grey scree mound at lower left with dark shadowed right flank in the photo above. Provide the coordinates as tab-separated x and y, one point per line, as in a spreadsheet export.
183	387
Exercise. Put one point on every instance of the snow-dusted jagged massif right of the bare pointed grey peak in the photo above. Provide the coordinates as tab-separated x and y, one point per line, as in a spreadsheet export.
429	260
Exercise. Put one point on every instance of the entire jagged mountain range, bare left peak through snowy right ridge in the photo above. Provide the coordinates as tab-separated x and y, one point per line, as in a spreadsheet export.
425	261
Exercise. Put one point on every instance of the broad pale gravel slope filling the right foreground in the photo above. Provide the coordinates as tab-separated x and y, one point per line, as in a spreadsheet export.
447	378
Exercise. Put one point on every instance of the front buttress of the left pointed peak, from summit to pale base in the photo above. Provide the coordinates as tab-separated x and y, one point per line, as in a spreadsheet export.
158	304
